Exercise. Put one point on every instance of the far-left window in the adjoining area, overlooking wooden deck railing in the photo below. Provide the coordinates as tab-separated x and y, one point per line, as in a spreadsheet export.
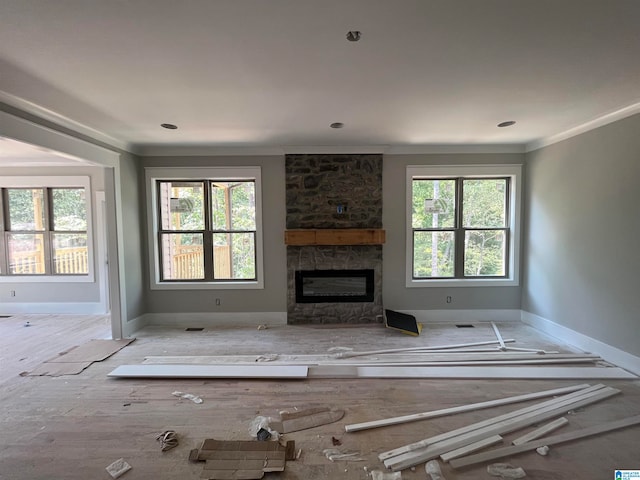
45	229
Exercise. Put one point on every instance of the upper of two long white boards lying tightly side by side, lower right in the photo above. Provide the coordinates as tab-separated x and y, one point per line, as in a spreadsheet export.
563	401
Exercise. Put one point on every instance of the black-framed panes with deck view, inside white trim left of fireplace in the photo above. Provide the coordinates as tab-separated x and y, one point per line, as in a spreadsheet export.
208	230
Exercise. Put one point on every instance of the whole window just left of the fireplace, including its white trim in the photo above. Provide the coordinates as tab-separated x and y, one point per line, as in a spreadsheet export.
206	227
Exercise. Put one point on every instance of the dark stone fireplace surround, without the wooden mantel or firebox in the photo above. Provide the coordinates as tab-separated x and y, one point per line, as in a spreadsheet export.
334	192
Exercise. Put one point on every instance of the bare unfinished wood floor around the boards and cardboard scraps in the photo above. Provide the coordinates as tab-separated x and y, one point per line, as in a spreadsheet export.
72	427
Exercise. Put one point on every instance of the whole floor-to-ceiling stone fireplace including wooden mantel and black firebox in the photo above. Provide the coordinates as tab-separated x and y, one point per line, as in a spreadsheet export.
334	238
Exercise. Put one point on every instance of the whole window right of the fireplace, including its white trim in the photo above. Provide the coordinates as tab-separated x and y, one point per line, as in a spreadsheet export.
463	225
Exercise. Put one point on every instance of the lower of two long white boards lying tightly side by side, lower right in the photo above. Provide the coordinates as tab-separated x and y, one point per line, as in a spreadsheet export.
414	458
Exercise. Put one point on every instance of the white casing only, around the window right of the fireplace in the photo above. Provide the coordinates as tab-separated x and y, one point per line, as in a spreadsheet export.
514	173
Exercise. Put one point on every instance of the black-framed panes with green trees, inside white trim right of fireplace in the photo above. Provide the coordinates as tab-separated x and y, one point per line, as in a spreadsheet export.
459	227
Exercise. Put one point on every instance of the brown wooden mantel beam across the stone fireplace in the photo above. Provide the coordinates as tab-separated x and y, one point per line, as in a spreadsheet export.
338	236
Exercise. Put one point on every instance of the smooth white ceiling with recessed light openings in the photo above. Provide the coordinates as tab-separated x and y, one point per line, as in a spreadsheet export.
276	73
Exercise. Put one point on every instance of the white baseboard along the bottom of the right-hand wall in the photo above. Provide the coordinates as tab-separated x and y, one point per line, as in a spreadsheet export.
583	342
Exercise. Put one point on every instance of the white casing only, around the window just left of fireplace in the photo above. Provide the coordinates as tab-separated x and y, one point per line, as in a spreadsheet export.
152	175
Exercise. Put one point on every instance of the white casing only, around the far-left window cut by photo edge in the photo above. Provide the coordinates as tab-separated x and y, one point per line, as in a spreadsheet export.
55	182
